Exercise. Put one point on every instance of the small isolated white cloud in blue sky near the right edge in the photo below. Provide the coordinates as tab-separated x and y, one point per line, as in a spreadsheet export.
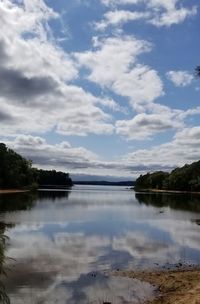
180	78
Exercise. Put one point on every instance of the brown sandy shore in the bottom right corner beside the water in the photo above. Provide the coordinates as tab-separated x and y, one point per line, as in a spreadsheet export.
174	286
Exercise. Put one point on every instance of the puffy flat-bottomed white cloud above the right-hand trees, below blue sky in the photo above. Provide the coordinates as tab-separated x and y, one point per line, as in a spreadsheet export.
157	119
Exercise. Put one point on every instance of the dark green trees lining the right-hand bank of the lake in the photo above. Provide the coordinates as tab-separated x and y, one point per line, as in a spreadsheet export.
186	178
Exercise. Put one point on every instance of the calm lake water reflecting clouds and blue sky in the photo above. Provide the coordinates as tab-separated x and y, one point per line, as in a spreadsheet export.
62	244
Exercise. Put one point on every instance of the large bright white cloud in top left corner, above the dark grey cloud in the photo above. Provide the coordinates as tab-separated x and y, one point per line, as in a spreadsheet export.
24	37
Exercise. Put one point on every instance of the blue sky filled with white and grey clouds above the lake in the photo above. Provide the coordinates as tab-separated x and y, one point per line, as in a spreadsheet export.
101	87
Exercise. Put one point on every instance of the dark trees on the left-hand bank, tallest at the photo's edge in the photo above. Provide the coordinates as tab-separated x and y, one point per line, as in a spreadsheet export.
17	172
